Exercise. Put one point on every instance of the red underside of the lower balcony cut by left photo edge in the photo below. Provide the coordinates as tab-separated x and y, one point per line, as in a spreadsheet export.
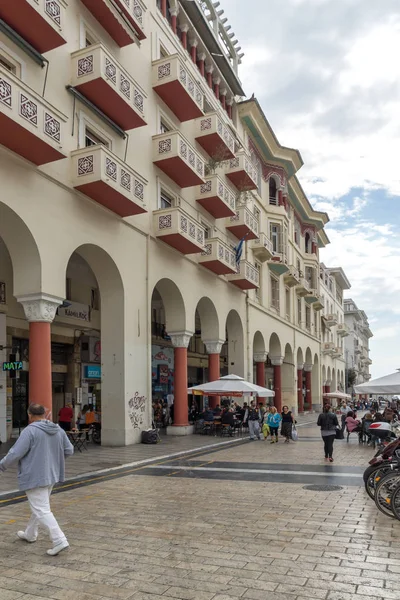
26	144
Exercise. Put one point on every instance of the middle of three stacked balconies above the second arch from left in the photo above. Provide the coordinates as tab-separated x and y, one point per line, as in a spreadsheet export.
101	79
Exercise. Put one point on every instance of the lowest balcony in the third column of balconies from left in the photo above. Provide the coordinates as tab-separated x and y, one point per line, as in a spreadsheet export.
174	227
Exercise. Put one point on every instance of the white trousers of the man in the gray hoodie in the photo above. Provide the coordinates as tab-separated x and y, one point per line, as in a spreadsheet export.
39	501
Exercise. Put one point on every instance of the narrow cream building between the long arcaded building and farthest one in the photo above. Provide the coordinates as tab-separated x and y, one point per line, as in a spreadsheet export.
333	282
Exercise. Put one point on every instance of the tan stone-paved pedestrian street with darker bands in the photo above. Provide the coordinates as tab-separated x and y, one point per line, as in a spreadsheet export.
176	535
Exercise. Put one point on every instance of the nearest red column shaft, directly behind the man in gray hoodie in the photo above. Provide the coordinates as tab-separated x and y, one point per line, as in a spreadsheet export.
40	383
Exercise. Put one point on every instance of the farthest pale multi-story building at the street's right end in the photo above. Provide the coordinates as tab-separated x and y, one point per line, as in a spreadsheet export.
357	343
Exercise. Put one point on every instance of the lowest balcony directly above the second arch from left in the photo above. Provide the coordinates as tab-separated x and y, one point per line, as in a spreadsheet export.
102	176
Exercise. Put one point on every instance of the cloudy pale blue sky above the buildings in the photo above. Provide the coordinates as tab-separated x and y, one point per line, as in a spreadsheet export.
327	73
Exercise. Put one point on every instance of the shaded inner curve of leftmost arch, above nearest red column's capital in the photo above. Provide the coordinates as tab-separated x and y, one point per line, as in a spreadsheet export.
23	251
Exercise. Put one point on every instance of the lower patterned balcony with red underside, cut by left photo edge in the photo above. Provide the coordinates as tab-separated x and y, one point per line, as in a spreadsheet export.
29	125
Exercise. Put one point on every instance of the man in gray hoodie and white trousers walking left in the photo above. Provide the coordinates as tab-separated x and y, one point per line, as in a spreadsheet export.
40	452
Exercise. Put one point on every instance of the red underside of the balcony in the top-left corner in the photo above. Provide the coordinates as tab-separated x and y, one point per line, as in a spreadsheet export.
30	25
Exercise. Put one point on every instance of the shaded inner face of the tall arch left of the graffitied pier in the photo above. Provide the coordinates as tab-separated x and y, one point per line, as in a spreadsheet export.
114	394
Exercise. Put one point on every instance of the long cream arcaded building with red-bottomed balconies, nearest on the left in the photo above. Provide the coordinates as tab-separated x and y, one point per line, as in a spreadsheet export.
131	173
